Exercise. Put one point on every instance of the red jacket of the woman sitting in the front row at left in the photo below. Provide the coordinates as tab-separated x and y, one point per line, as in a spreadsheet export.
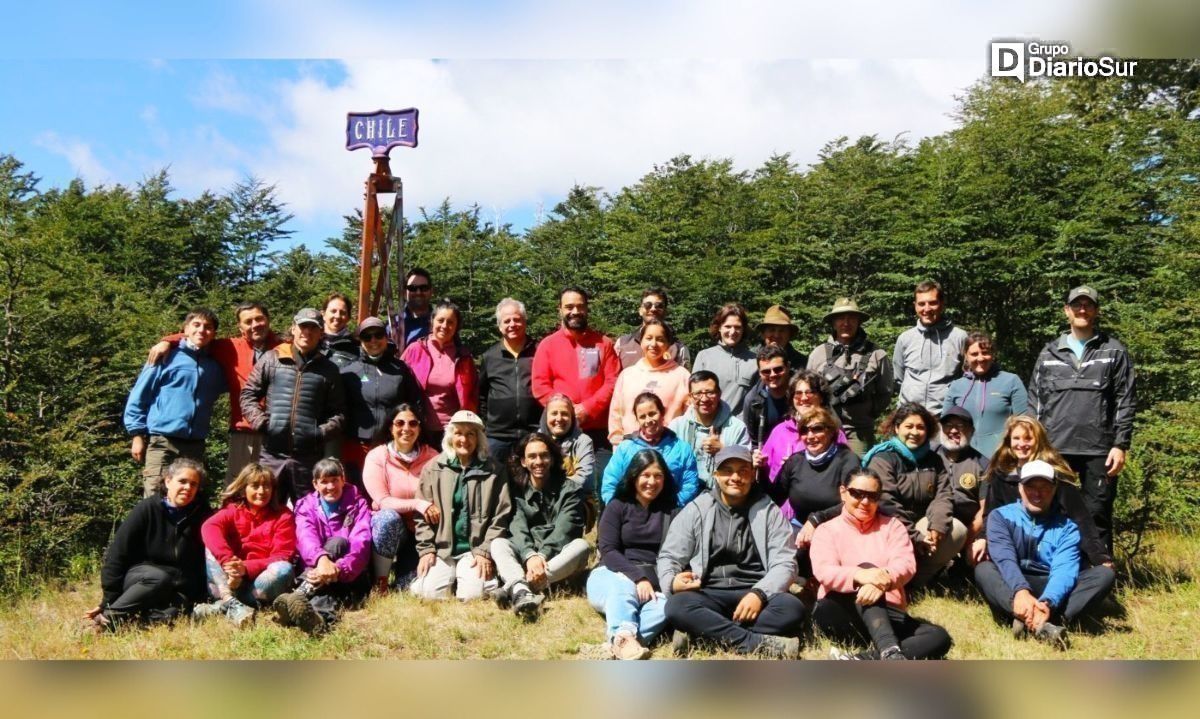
256	538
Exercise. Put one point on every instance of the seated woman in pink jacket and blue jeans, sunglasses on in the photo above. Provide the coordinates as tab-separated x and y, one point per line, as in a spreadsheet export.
393	478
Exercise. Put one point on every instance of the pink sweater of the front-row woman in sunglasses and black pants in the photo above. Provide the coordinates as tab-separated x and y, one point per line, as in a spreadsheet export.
844	543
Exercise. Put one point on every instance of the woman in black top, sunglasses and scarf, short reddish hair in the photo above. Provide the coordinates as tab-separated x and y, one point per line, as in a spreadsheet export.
812	480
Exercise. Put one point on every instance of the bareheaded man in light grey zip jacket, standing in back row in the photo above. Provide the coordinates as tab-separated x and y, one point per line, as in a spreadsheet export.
928	357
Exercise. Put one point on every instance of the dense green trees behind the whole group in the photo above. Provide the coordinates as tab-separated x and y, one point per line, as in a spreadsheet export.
1039	188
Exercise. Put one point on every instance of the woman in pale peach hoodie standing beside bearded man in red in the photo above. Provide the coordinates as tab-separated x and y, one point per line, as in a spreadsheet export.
657	373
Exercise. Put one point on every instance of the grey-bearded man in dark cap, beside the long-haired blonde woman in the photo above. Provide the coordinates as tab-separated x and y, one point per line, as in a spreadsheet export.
968	470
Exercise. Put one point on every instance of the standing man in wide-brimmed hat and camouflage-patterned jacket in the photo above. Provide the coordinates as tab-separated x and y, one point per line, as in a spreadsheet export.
859	373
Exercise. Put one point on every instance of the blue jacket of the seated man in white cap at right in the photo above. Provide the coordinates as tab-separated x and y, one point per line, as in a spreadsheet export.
1021	544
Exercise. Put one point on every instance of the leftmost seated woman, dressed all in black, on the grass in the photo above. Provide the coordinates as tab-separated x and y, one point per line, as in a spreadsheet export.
155	566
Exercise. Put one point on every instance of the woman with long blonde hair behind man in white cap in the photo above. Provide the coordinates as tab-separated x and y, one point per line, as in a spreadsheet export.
1023	441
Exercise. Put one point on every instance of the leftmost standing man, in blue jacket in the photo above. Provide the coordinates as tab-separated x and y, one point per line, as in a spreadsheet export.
170	411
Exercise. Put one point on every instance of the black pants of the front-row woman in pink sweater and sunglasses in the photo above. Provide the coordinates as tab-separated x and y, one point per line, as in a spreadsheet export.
839	618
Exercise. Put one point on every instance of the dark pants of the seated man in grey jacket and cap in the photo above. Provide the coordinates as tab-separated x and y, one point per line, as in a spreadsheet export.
706	614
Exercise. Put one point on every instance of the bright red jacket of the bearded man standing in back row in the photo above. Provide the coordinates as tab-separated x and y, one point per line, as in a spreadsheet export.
557	369
